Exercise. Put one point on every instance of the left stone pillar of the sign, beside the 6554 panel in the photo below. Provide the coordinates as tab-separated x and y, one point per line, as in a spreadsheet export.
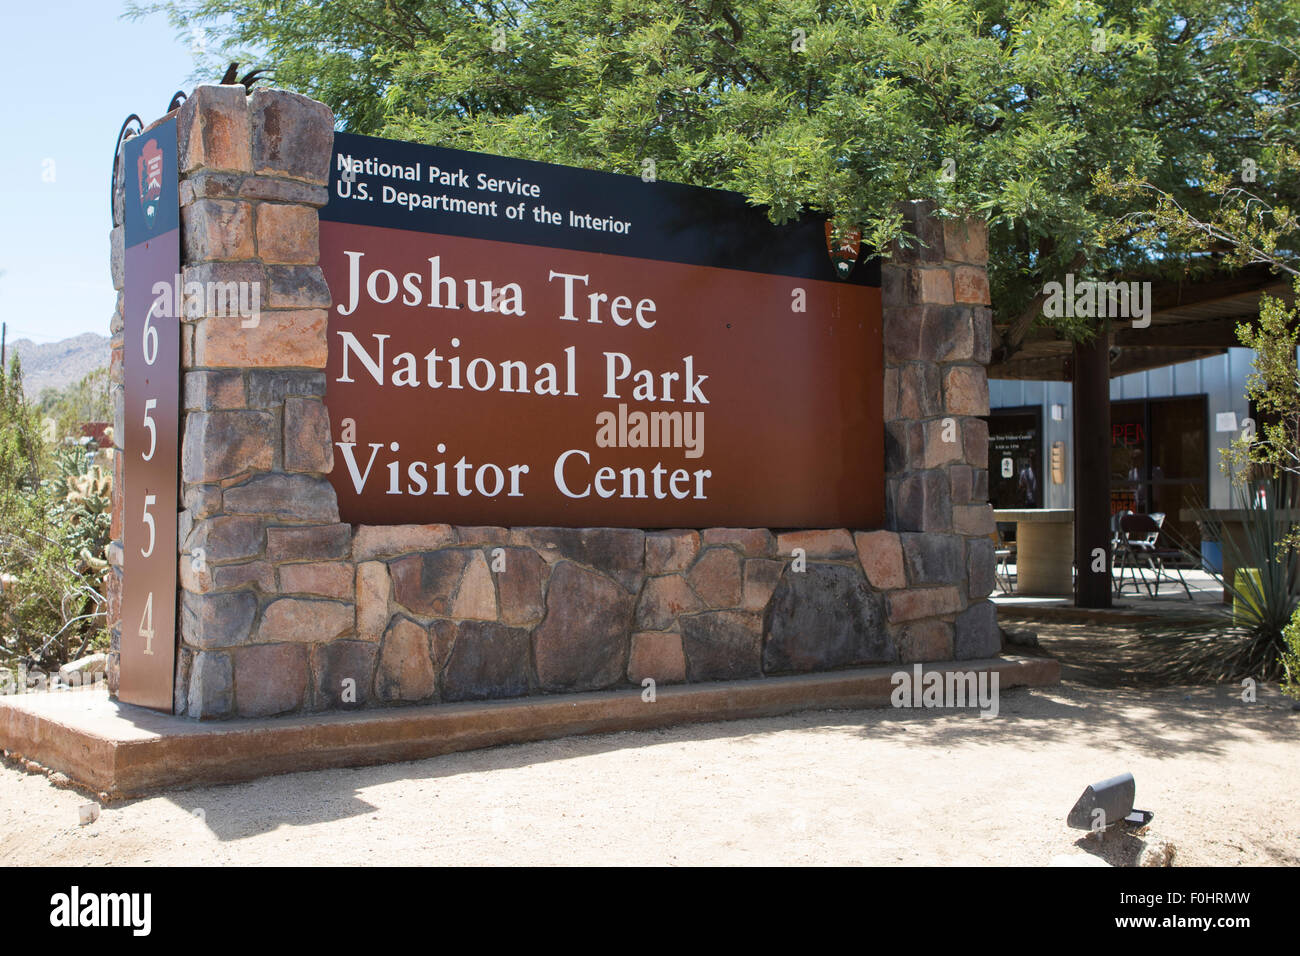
255	434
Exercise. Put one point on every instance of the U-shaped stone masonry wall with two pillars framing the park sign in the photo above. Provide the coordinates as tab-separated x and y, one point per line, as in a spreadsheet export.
285	609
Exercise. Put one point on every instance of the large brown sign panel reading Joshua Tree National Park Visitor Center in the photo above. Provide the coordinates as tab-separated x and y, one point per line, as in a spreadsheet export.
476	380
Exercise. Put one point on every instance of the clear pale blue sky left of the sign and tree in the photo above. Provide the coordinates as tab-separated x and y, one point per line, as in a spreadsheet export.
76	70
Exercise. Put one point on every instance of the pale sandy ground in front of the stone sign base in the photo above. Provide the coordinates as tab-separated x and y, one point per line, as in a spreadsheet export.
822	788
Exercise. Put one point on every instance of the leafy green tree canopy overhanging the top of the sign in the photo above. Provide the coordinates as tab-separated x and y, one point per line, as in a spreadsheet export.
1029	114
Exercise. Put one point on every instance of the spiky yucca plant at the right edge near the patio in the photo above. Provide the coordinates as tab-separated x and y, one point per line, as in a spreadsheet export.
1246	638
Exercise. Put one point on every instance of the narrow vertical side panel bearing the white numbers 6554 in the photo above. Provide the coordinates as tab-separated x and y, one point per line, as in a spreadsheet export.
150	469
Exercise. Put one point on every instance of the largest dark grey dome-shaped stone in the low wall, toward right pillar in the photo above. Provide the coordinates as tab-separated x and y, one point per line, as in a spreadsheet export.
822	618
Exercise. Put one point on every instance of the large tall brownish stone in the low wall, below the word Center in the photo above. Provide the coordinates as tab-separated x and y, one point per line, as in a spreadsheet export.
583	642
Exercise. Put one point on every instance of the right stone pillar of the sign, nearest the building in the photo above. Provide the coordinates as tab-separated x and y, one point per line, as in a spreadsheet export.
938	338
